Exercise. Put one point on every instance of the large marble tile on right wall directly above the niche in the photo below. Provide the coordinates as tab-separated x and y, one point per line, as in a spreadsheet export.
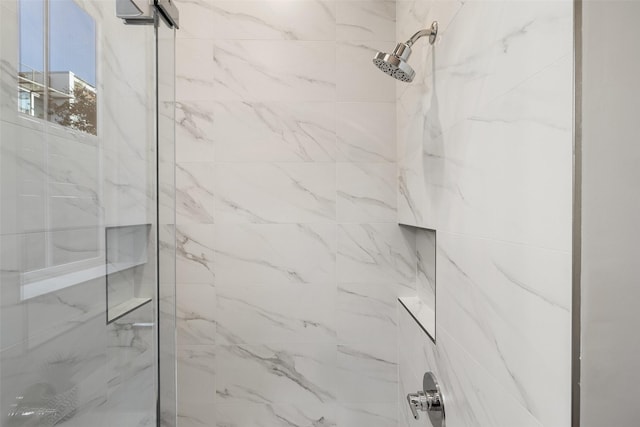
463	169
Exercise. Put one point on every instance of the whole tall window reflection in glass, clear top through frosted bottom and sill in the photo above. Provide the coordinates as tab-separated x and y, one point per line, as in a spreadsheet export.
58	187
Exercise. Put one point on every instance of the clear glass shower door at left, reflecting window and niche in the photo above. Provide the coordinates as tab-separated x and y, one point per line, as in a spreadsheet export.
87	285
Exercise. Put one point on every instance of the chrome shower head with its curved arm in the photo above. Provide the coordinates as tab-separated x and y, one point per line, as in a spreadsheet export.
395	64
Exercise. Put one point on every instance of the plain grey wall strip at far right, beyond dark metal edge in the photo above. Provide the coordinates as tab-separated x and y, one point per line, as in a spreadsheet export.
610	211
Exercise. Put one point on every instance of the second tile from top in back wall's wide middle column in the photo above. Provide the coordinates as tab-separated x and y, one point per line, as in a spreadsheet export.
274	70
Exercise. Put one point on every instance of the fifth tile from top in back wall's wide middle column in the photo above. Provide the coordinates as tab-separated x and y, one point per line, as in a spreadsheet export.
275	253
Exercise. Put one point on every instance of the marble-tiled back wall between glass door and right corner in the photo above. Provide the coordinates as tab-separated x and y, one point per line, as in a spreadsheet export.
290	258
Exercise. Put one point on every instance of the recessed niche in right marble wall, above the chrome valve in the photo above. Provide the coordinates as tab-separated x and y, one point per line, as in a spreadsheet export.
422	305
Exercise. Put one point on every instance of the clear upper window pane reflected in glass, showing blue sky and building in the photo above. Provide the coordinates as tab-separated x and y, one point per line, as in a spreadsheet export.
57	75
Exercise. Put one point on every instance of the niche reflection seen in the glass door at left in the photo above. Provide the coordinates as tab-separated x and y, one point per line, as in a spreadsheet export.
130	275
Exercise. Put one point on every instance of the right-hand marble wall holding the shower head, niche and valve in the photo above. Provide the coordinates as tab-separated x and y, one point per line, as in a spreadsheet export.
485	159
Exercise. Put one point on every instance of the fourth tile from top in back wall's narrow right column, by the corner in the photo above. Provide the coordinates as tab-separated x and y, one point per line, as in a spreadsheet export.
366	192
